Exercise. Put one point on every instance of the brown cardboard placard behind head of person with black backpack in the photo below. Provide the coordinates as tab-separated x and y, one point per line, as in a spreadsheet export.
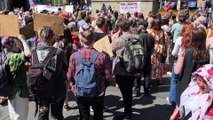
55	22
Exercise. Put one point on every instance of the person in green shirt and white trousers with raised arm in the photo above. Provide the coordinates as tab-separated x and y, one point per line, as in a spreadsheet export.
17	57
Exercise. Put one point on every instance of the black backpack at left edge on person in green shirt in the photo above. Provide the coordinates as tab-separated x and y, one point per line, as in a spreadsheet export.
5	82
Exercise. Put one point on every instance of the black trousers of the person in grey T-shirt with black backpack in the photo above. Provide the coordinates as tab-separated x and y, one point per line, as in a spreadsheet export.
56	109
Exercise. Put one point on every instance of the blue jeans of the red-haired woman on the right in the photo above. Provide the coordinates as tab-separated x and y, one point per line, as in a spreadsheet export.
173	85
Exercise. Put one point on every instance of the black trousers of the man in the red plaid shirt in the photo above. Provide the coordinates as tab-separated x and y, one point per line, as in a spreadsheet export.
84	104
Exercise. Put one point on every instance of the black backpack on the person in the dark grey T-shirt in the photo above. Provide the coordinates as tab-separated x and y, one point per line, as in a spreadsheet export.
41	82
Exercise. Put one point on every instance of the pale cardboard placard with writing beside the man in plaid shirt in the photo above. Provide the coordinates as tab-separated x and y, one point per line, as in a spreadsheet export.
104	45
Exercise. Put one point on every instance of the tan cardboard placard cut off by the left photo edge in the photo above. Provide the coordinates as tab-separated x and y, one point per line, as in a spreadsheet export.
9	25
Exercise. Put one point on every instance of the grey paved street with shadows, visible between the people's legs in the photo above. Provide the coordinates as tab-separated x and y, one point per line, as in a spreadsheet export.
153	107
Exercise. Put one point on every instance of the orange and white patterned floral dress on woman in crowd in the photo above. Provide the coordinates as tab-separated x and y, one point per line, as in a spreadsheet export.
161	41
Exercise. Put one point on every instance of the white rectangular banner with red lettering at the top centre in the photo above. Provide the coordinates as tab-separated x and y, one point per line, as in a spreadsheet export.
130	7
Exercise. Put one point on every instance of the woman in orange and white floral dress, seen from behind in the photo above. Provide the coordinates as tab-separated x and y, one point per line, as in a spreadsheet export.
161	47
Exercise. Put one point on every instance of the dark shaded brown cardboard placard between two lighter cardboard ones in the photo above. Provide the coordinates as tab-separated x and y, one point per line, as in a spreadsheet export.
28	31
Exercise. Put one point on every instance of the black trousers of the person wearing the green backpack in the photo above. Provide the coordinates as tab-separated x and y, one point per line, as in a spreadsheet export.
125	84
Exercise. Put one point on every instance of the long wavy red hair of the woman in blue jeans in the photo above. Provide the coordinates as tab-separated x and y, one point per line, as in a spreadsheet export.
186	35
